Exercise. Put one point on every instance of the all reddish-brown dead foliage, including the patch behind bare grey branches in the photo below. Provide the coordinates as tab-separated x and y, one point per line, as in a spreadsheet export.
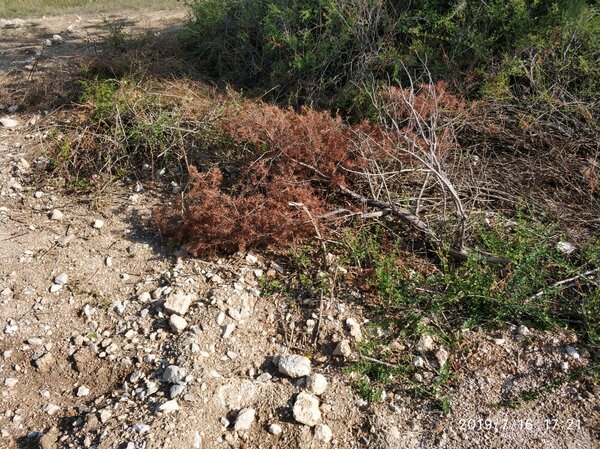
290	157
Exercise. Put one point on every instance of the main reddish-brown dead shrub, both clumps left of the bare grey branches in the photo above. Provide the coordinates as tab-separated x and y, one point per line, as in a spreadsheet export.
293	158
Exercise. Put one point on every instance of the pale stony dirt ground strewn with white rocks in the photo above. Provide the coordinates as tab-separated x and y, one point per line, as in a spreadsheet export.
87	333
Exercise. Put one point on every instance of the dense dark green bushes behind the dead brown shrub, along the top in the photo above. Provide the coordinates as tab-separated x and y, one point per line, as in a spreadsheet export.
324	52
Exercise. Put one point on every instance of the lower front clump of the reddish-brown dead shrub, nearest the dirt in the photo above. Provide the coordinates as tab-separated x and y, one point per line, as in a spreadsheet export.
211	220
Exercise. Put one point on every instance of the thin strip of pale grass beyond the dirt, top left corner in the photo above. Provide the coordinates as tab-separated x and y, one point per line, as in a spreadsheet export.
33	8
